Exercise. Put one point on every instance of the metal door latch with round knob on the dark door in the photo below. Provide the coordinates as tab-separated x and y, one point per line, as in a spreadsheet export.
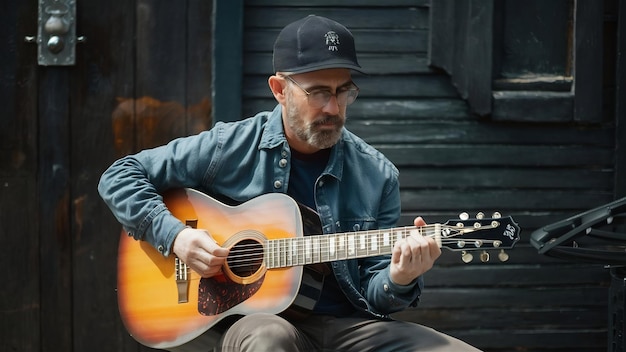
56	35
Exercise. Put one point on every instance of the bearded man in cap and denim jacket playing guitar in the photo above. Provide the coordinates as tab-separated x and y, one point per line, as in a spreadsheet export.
302	149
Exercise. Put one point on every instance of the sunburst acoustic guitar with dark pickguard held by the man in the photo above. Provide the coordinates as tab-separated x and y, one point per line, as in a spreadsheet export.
166	305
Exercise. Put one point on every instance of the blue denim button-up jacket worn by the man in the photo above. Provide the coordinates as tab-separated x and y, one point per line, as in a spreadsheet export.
358	191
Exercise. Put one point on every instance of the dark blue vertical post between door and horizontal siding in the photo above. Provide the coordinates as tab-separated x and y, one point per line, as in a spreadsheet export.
227	59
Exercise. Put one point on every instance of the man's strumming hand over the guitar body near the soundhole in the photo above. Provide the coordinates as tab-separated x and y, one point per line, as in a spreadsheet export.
199	250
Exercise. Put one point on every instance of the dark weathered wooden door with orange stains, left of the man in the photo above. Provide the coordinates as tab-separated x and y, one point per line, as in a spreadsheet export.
141	78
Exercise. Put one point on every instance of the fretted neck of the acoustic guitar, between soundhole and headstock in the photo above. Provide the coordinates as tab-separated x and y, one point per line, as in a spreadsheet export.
288	252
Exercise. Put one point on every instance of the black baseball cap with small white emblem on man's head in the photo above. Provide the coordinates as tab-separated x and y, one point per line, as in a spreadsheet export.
314	43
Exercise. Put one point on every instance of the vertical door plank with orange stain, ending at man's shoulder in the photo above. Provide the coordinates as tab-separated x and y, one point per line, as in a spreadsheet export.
160	89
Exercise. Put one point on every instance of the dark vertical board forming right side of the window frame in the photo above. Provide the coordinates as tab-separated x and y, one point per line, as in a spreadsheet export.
588	82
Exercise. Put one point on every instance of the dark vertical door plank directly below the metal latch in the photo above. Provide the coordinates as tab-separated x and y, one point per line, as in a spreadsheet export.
54	208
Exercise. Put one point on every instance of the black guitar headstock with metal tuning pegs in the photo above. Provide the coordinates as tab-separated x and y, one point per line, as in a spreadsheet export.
480	234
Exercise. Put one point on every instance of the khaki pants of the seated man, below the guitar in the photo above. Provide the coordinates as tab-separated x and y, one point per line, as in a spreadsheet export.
272	333
